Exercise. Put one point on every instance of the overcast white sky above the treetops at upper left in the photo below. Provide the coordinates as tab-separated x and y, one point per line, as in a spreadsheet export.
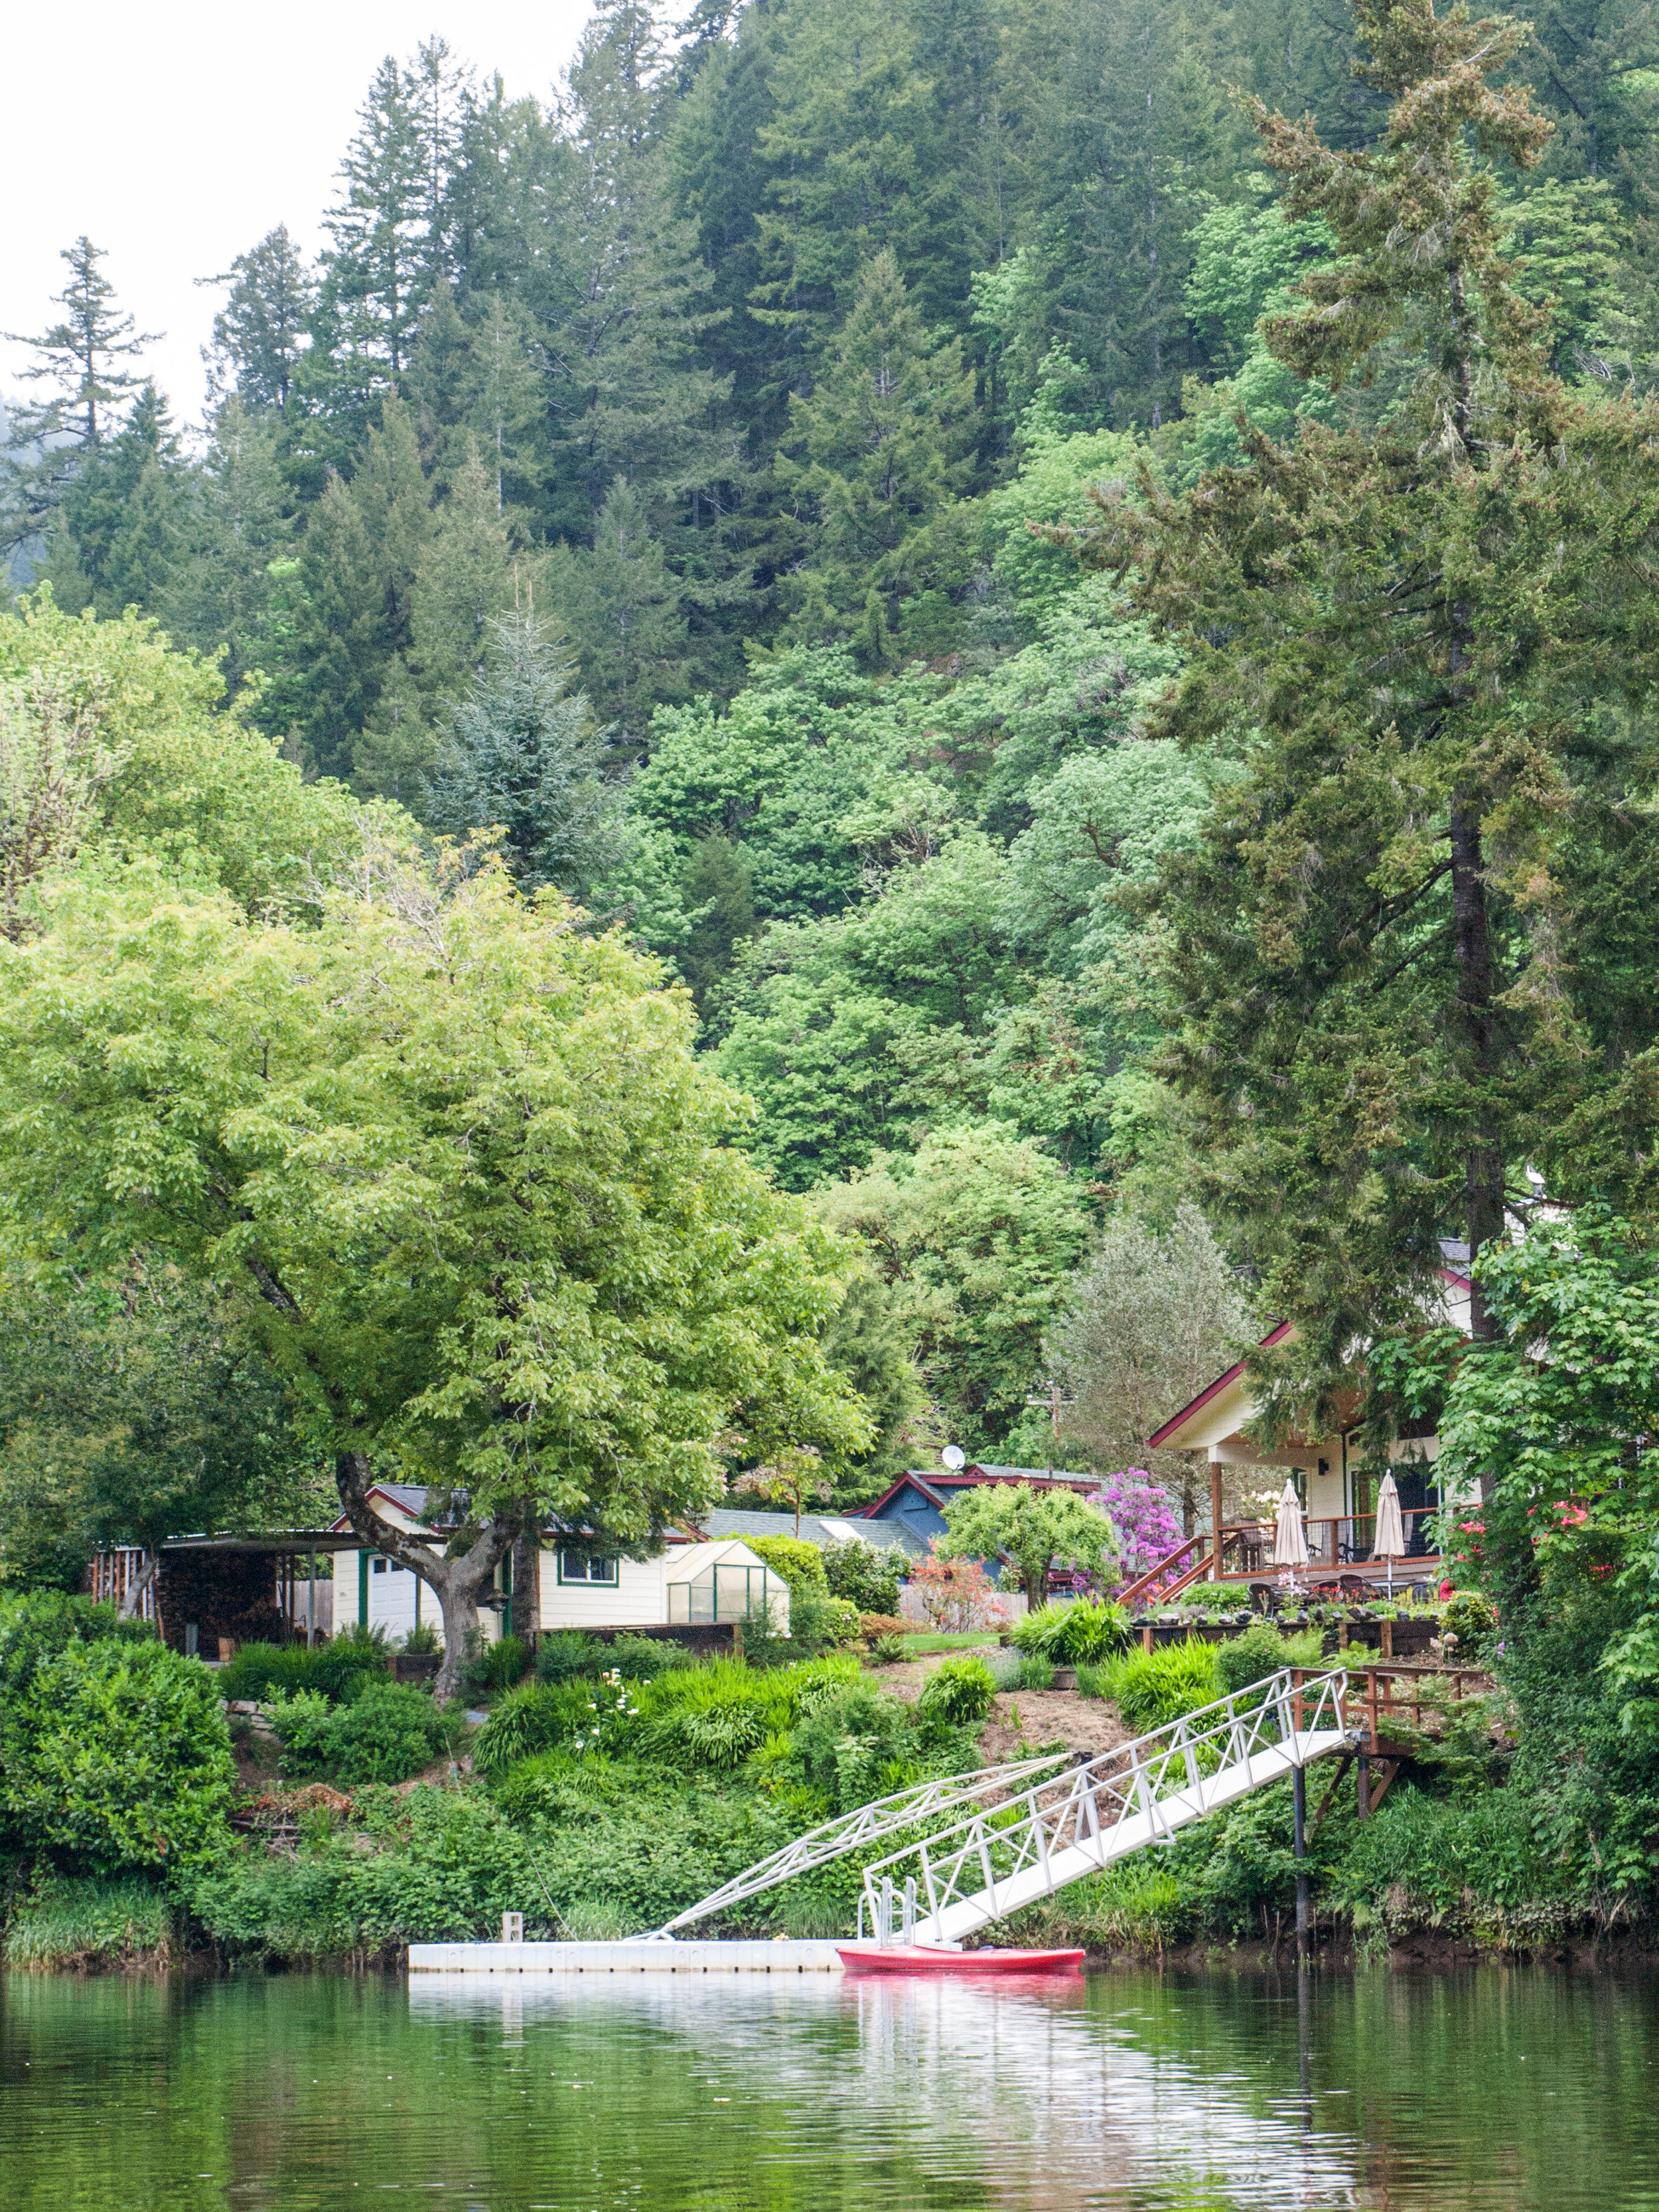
178	136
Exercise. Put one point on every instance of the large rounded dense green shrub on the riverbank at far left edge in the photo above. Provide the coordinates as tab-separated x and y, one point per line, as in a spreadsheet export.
114	1753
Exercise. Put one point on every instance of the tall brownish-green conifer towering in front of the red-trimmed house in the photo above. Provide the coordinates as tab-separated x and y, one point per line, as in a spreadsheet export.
1406	954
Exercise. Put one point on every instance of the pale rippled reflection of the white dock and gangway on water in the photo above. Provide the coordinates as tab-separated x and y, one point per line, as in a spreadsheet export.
1034	2096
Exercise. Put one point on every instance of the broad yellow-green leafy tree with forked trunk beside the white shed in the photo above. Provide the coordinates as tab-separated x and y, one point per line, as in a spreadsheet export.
457	1171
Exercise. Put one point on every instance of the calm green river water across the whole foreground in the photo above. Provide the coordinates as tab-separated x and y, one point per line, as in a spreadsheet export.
1156	2091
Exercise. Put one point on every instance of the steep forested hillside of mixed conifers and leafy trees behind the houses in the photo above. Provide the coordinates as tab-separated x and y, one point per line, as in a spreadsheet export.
651	477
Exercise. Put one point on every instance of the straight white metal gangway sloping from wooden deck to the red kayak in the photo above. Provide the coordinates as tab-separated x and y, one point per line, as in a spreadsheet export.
1076	1824
